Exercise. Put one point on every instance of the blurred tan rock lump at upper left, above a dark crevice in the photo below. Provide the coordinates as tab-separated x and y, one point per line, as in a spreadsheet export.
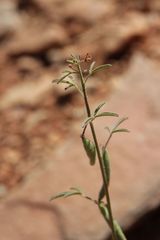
23	44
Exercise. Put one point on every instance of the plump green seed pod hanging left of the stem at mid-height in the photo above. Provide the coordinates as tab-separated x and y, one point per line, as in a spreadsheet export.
90	150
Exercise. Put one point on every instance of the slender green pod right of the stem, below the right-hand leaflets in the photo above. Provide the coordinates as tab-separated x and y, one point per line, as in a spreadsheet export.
106	165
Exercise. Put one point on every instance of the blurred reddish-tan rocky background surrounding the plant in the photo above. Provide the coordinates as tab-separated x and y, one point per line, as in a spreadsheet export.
40	124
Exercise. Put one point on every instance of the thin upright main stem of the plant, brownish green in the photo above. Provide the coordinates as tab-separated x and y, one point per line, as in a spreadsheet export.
98	153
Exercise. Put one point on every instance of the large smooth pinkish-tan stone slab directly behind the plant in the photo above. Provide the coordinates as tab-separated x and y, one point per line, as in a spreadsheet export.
27	213
